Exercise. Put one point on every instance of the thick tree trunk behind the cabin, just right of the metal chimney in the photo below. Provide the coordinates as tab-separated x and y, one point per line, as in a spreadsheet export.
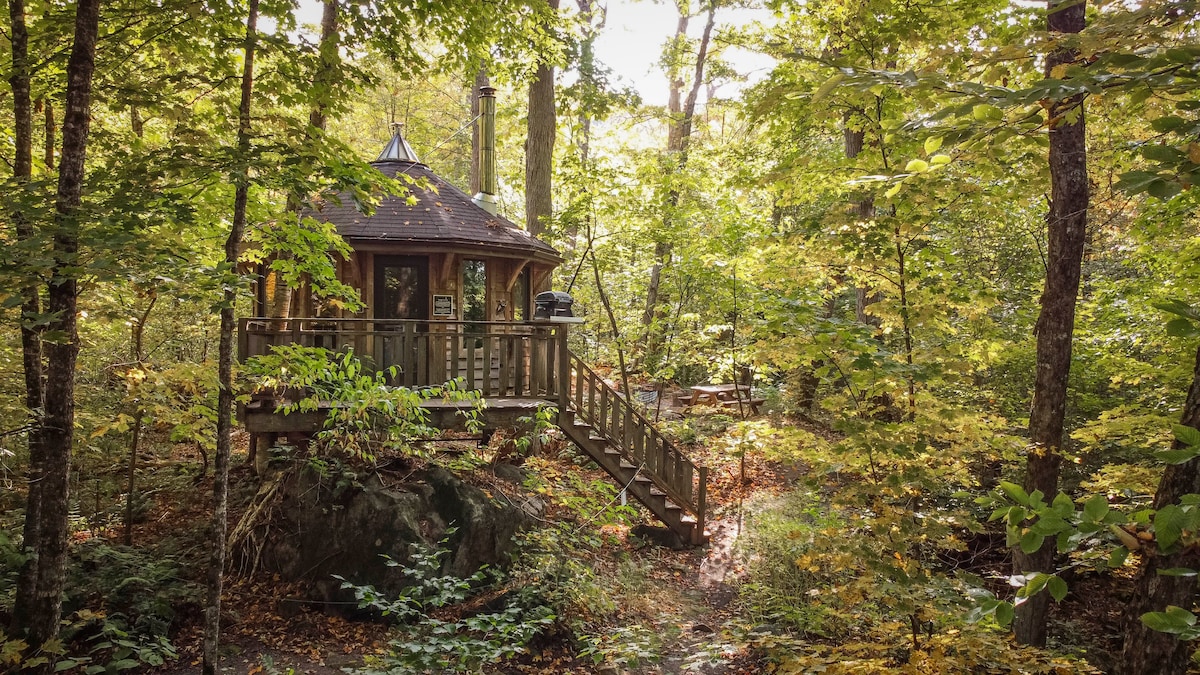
543	126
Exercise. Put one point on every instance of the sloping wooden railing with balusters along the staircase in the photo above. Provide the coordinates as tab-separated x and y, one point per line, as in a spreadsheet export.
641	444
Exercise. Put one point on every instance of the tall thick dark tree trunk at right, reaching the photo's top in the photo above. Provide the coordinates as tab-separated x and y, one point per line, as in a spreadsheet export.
1067	235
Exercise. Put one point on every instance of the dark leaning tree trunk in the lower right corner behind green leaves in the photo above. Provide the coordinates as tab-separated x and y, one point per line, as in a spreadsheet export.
1147	652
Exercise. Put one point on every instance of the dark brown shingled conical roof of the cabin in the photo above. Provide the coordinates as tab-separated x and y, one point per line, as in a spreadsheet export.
443	218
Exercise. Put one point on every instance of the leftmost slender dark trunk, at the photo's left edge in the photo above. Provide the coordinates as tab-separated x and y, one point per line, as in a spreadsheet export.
32	307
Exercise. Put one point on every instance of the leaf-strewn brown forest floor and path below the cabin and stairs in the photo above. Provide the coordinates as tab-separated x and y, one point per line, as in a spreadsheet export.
685	600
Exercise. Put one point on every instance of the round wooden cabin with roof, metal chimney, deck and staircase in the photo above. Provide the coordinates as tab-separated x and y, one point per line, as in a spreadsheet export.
449	290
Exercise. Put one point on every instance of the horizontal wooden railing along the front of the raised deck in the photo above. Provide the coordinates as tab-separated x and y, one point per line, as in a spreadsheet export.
501	360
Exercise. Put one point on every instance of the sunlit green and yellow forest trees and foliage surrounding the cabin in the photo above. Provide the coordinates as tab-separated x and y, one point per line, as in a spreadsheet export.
951	252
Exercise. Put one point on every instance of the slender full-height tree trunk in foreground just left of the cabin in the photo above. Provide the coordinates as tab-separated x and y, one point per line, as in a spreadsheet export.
225	359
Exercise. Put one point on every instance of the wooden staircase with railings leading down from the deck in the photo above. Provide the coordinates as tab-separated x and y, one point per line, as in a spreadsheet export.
603	423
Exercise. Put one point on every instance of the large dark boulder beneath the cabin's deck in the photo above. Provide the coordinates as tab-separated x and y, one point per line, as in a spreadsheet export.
350	529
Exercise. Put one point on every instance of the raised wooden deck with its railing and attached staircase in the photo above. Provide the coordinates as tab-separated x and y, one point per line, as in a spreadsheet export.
517	368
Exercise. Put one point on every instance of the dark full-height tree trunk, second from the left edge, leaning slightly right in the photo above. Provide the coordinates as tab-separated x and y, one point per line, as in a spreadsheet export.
61	355
